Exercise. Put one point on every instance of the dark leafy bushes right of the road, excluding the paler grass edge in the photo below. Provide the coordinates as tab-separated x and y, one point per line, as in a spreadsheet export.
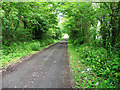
103	64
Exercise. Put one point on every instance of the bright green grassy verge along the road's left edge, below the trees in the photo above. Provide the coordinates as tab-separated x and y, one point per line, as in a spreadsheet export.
16	51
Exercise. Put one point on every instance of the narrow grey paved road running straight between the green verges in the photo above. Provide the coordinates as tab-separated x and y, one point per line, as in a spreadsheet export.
48	69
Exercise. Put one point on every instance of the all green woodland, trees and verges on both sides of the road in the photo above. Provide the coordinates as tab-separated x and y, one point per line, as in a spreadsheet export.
93	29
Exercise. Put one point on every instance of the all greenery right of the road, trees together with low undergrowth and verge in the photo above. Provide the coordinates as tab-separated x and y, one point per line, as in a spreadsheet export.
93	29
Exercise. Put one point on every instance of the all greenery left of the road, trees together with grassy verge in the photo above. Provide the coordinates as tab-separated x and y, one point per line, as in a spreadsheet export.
27	27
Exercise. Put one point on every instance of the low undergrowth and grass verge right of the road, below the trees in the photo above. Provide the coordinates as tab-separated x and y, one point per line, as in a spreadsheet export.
90	69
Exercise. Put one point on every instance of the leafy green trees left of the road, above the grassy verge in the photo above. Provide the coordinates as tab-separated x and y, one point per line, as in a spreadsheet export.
24	21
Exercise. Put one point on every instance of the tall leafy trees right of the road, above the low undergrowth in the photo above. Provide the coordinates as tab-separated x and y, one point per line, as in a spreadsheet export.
82	23
